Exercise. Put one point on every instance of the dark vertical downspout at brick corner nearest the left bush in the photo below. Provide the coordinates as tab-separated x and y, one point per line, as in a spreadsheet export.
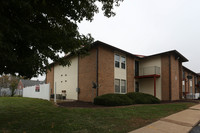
97	69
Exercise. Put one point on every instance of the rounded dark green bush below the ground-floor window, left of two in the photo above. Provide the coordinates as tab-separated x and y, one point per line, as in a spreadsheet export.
112	100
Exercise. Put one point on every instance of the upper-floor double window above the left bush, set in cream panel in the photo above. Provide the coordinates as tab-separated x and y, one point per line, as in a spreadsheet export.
120	61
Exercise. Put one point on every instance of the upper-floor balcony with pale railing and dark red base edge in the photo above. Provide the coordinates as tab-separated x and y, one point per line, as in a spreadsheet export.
145	72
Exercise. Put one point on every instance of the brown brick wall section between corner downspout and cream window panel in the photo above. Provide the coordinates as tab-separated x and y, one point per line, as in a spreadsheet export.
106	70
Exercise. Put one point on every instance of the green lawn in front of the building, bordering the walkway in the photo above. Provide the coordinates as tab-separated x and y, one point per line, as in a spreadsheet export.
19	114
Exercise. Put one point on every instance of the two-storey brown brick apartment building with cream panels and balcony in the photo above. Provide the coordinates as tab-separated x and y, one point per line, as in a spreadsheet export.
113	70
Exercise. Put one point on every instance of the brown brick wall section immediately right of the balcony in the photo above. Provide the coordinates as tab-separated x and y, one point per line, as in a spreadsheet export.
171	91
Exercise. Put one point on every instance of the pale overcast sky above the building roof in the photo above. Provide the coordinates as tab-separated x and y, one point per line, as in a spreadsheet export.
148	27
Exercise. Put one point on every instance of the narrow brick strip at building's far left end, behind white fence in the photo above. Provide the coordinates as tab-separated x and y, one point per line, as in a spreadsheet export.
50	79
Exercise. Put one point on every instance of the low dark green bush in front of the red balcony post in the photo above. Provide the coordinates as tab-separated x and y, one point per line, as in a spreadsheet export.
142	98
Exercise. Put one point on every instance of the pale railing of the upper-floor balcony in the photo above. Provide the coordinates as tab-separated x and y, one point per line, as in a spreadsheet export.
153	70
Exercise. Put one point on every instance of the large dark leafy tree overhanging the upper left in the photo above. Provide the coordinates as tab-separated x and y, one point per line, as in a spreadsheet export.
33	31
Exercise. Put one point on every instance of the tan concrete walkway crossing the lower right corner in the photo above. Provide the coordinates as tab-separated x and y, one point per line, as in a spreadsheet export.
181	122
